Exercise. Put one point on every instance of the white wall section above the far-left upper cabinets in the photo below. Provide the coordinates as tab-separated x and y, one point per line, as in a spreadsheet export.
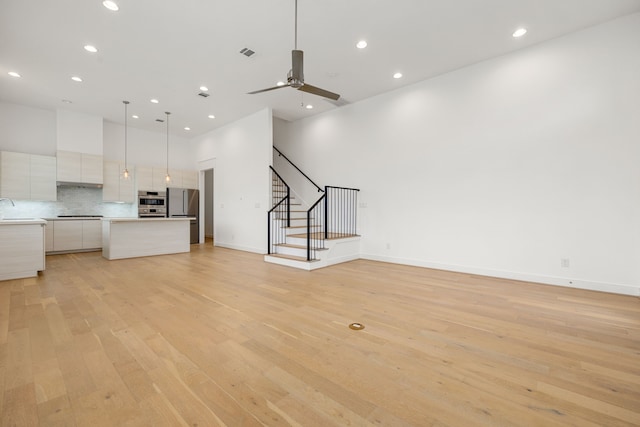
27	129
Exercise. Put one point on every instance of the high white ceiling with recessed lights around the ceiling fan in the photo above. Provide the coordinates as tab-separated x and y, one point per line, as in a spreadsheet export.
167	49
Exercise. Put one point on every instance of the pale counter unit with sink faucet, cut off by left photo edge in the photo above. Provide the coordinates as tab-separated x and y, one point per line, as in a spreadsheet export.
22	247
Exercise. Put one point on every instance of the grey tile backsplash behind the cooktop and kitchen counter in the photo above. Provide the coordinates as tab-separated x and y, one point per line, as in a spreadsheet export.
71	201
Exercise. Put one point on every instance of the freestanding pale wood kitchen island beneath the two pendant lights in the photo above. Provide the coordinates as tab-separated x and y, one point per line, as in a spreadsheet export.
138	237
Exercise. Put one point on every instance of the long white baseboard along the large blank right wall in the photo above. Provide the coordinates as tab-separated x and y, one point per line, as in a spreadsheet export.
615	288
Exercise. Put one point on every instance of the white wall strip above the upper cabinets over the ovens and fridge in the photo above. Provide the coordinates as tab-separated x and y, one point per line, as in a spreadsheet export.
147	148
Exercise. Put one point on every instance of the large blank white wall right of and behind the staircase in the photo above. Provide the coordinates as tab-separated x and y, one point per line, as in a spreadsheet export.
503	168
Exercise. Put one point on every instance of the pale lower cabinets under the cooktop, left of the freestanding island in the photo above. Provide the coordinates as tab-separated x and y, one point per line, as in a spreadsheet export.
74	235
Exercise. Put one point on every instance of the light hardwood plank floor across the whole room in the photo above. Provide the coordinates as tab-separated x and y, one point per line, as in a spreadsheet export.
219	337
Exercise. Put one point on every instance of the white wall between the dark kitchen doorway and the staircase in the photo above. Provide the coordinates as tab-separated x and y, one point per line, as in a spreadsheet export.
241	152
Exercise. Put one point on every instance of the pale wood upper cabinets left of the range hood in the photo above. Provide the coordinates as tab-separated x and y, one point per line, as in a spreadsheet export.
27	176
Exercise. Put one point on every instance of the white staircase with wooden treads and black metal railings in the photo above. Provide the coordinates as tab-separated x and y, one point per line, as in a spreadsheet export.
311	237
